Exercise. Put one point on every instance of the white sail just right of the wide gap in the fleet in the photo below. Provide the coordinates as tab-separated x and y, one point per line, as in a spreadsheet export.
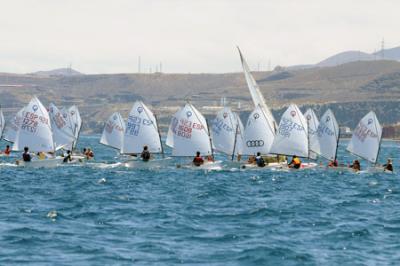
113	133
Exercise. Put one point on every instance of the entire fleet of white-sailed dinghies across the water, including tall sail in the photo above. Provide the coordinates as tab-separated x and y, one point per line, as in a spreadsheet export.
49	130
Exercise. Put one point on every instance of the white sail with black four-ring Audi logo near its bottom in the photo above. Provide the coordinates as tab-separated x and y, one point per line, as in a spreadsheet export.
258	135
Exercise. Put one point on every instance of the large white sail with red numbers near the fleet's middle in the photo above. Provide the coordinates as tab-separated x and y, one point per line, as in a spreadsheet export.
190	132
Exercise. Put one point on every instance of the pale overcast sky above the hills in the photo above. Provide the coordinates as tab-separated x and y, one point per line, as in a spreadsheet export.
188	36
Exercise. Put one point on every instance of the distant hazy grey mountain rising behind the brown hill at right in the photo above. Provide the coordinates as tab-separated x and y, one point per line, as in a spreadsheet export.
345	57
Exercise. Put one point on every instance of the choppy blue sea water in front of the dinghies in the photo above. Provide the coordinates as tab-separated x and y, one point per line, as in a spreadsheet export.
104	213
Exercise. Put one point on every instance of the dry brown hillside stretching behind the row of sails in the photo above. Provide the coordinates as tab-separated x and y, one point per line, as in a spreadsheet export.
350	89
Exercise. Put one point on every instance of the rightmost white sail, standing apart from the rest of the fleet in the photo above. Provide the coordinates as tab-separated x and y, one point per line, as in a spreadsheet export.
366	138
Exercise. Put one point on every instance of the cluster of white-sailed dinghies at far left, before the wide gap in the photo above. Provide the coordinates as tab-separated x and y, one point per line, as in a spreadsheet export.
42	131
